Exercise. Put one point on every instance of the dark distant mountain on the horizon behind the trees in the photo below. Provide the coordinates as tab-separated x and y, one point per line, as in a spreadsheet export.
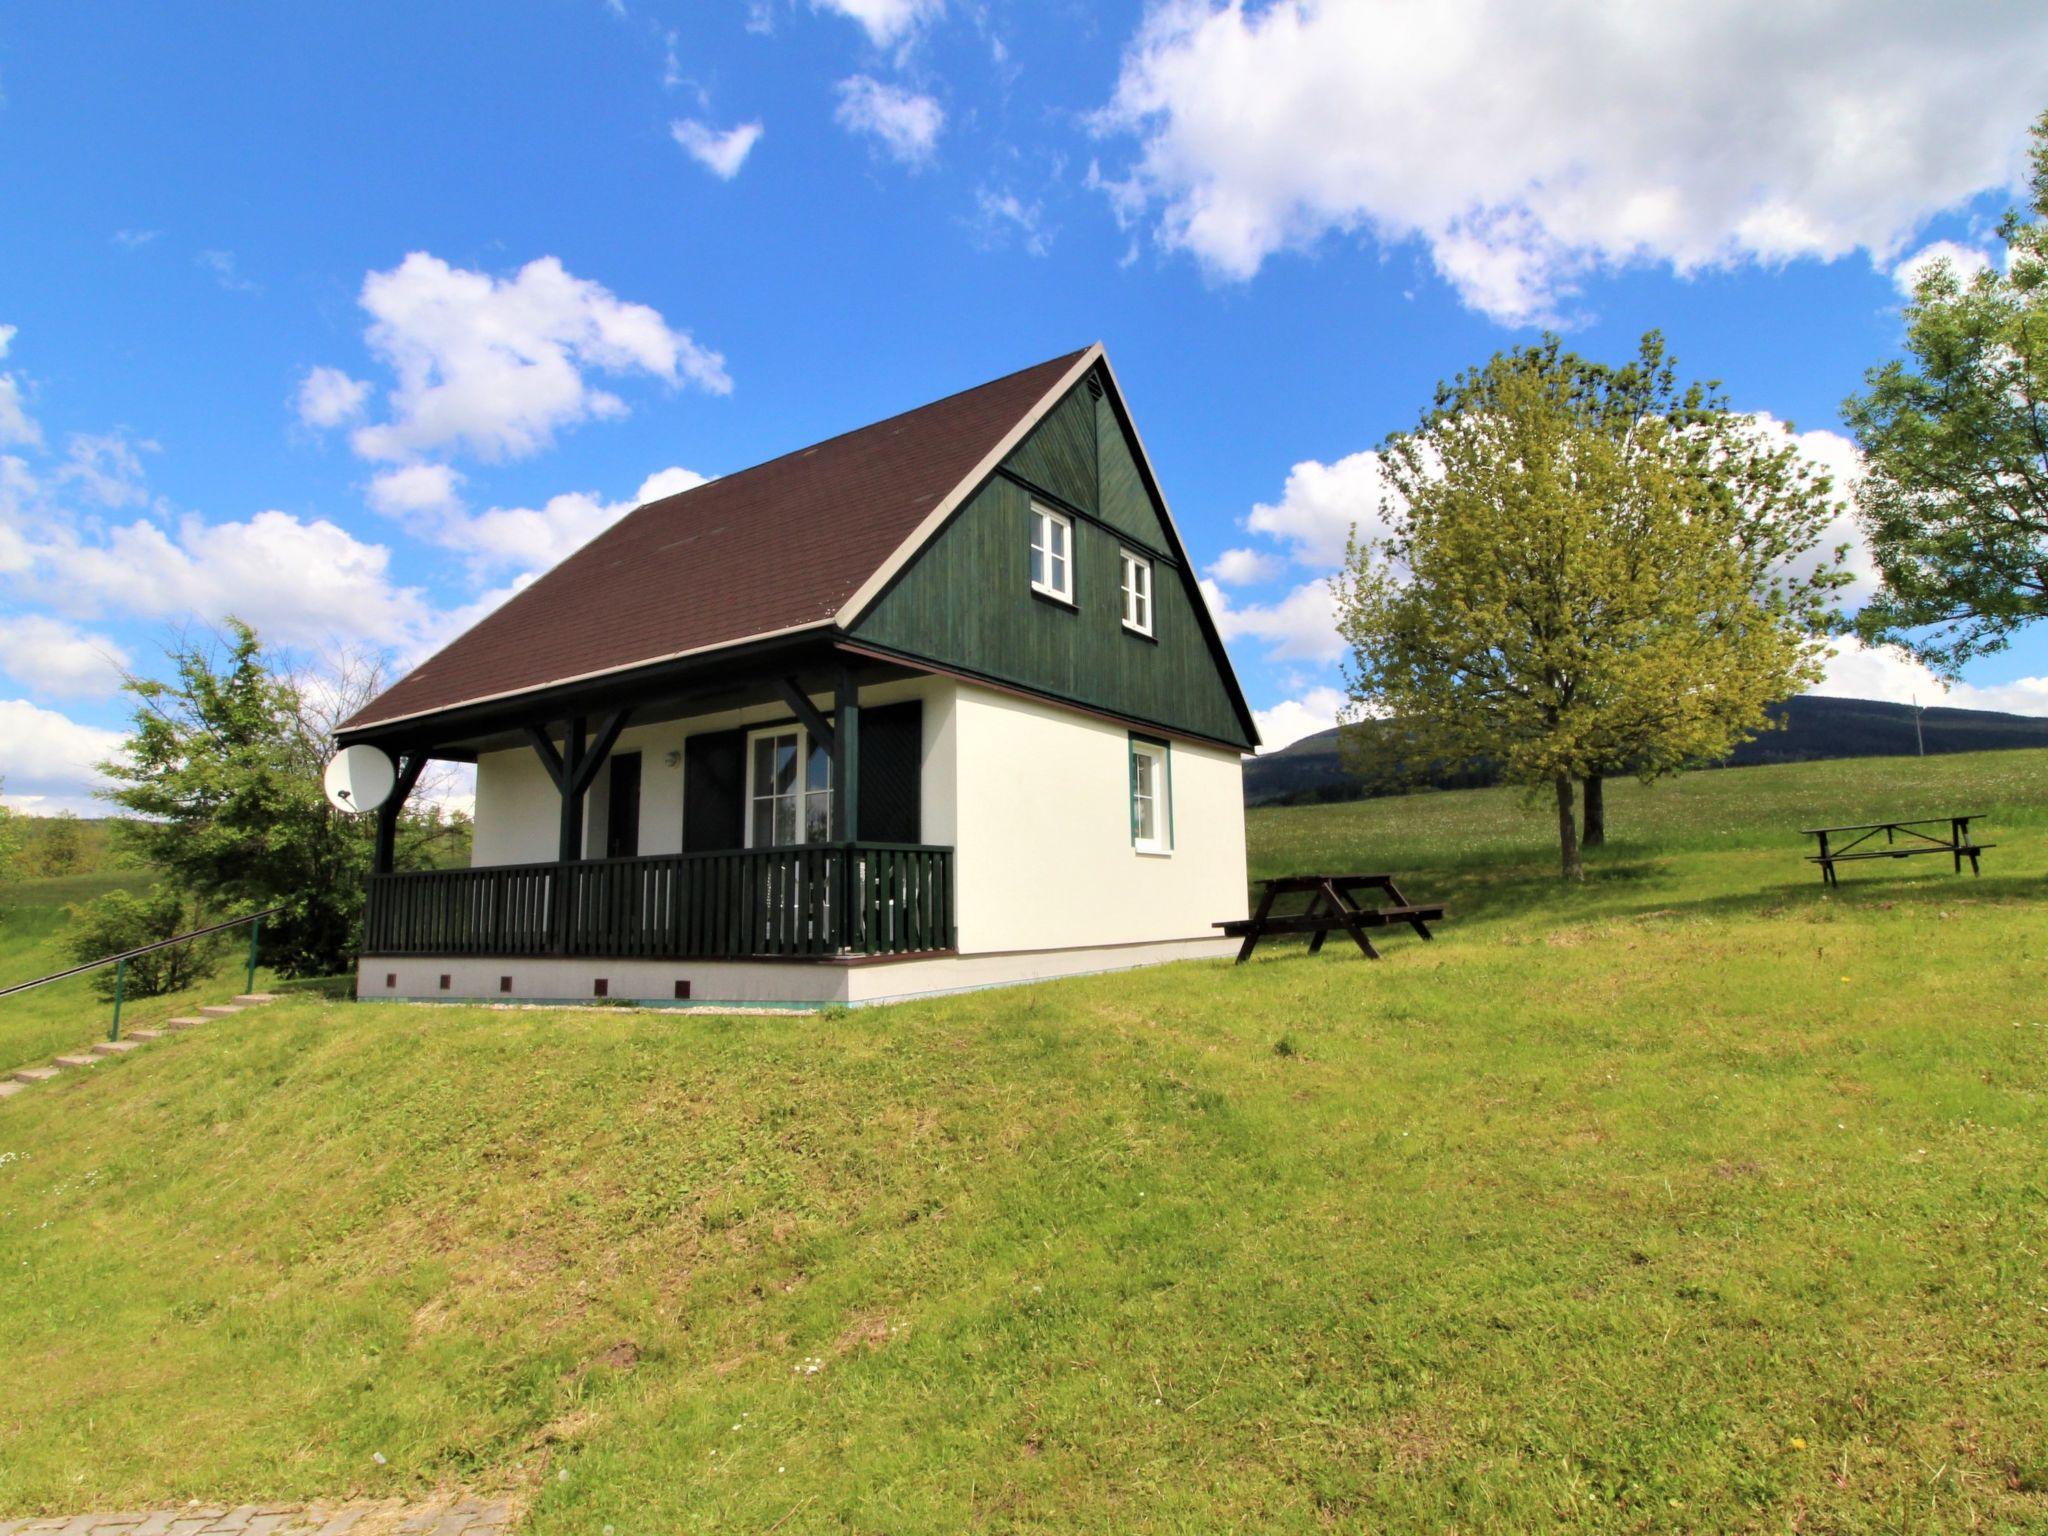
1811	728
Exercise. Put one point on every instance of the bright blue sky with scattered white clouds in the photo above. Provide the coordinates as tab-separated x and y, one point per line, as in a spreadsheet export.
349	318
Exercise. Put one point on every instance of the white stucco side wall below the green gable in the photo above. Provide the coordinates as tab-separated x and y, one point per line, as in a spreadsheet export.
1046	855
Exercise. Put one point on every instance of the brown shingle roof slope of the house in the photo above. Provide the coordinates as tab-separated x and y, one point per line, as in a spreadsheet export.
755	554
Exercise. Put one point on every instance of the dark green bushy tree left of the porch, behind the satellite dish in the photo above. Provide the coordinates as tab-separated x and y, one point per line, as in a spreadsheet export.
224	771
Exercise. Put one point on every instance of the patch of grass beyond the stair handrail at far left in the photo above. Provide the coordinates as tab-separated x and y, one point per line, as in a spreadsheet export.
69	1015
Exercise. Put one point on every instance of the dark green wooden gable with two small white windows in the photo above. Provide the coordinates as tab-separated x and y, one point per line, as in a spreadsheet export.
966	599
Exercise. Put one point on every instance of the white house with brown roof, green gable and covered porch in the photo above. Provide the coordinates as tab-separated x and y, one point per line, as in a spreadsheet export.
923	708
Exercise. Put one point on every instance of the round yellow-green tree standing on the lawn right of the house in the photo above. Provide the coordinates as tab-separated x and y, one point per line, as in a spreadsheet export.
1588	570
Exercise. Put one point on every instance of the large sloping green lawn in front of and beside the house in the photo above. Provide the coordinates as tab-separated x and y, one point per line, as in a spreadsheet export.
1697	1199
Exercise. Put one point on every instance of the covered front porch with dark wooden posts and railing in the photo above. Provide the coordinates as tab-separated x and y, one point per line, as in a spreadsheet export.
765	843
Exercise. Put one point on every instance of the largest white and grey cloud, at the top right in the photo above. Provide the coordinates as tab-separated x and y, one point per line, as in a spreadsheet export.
1529	146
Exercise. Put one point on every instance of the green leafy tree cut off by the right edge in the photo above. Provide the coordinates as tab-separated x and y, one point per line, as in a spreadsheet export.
1957	439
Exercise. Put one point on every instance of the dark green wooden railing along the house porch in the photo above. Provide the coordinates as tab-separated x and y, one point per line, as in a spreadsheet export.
812	900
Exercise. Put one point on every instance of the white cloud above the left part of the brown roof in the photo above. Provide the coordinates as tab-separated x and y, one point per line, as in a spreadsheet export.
497	366
